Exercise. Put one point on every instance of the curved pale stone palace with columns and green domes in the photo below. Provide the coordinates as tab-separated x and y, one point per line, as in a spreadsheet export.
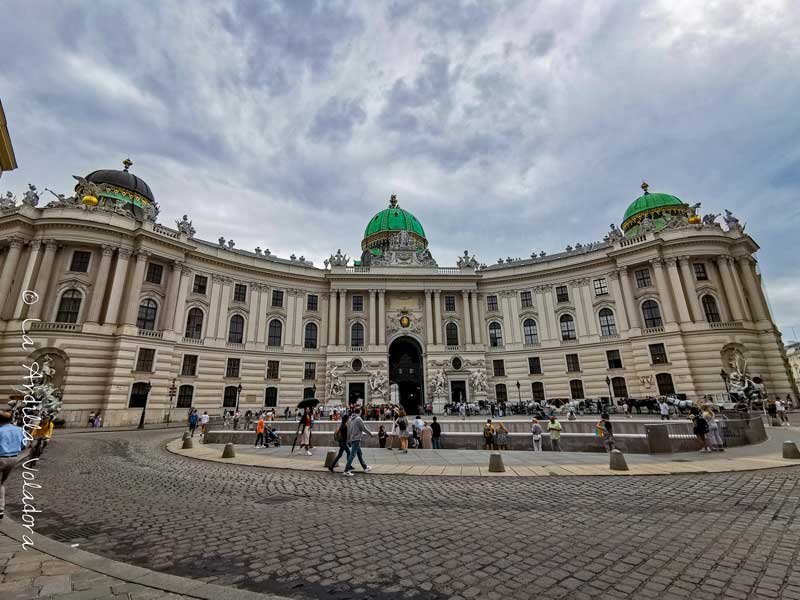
138	317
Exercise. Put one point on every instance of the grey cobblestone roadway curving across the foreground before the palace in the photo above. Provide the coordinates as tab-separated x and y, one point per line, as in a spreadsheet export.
310	535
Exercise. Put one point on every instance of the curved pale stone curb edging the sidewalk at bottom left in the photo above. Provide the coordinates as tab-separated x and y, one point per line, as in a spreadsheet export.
130	573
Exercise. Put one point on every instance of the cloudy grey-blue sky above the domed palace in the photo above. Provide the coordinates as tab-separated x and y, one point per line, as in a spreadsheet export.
503	126
